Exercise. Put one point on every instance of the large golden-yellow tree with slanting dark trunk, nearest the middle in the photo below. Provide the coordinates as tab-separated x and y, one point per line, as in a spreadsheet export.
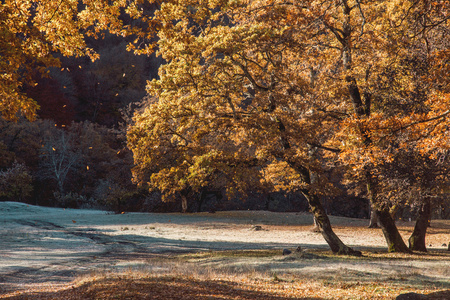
233	106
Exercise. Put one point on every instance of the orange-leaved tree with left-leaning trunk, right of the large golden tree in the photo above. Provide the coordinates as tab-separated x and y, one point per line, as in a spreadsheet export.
387	86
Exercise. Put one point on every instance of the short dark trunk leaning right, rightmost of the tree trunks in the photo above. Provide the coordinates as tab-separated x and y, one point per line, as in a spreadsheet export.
417	238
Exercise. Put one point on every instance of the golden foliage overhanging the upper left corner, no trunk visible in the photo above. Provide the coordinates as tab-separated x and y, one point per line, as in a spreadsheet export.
33	34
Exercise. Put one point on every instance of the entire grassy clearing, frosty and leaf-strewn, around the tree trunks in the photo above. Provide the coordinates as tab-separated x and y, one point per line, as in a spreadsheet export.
51	253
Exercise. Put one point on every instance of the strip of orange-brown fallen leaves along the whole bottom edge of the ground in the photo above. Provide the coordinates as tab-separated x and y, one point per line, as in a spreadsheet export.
187	288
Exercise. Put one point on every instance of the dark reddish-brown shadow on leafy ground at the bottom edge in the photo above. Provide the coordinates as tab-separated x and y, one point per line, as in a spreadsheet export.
157	288
